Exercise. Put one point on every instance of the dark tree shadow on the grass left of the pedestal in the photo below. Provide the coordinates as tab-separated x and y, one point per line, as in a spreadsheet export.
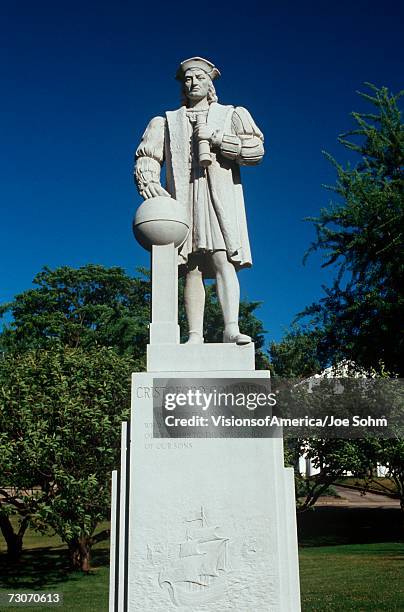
47	566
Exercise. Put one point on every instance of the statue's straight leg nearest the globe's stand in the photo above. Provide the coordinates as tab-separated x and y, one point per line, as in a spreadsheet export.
194	298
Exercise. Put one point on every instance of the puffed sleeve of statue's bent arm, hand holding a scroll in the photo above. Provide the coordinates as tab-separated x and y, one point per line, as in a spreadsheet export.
245	144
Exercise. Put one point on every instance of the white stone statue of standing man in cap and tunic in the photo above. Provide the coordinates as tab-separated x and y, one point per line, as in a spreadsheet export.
203	143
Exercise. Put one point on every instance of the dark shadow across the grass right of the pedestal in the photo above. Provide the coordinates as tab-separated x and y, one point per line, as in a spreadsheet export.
325	526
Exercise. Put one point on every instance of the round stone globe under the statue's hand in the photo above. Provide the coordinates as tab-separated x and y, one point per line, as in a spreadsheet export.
160	221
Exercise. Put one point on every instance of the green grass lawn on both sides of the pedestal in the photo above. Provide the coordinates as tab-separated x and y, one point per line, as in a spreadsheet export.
357	577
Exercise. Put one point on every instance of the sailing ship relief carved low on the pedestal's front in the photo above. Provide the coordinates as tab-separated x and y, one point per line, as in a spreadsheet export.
200	574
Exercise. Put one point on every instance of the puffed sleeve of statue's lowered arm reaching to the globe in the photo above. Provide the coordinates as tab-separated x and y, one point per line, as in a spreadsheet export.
149	155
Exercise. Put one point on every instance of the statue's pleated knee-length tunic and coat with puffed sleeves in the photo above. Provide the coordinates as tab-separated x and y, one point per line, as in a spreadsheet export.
213	195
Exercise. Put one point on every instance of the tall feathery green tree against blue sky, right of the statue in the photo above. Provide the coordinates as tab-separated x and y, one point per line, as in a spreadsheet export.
362	235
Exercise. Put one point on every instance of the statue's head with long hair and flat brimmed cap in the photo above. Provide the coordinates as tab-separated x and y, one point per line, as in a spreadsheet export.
196	76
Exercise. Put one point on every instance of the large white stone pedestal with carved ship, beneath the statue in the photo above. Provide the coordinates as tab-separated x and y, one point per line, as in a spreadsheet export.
227	501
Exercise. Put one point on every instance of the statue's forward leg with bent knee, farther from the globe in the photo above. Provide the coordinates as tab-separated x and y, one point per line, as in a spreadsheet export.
228	292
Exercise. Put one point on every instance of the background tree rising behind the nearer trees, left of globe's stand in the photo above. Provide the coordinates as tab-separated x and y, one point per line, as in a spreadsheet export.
85	307
